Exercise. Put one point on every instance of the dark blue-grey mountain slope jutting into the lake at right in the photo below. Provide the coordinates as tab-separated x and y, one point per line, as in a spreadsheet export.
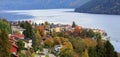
100	7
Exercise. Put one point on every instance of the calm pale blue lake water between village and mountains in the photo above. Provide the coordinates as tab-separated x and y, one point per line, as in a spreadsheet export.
109	23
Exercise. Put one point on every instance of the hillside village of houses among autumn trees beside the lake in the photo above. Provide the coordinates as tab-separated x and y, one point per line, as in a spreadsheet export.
28	39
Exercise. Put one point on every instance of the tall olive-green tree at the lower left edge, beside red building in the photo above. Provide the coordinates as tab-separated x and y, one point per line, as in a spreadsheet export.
4	44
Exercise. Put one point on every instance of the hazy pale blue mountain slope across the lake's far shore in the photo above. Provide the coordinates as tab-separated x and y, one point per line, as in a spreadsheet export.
39	4
